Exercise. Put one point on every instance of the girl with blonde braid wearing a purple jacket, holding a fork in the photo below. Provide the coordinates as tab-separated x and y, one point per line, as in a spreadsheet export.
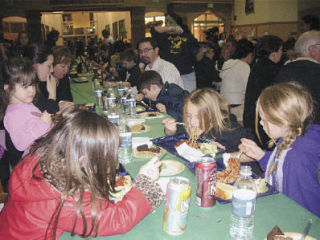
286	112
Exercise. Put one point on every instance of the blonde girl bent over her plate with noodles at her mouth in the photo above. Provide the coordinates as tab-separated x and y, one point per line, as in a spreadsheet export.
208	112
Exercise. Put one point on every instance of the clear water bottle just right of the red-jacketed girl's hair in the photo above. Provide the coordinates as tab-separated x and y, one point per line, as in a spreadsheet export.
125	148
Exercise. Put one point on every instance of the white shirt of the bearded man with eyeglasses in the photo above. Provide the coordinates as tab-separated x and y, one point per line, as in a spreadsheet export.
168	72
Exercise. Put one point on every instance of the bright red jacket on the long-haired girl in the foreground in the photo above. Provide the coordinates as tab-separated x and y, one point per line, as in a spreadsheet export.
31	204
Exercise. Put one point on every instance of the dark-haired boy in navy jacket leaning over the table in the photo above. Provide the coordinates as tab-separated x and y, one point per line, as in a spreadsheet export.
167	98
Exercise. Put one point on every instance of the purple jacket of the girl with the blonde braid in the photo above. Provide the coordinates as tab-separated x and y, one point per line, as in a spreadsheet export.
300	166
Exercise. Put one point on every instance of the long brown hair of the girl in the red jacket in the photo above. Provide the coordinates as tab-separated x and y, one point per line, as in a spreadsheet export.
79	155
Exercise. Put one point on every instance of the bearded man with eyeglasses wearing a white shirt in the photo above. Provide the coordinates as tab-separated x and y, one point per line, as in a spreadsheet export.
149	54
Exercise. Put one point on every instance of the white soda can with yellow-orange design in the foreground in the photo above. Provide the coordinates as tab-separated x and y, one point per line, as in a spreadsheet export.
177	206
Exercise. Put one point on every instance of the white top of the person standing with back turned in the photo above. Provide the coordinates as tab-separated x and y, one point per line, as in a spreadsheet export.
234	75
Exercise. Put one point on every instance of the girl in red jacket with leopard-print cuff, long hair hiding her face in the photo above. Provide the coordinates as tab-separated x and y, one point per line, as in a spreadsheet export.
67	181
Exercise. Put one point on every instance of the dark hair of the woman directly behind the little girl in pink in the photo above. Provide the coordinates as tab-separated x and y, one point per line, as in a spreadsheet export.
37	53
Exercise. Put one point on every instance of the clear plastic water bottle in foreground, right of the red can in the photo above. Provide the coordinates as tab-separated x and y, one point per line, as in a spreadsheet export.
243	206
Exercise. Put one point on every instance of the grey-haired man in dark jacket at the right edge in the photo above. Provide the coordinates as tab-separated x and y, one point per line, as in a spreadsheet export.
306	68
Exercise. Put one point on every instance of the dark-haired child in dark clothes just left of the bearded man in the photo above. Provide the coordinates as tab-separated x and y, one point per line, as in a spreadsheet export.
129	61
